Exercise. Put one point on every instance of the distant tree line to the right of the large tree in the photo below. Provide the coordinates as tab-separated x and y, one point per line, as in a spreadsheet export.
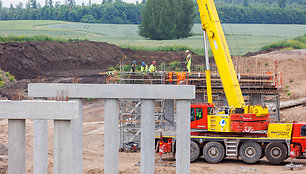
260	13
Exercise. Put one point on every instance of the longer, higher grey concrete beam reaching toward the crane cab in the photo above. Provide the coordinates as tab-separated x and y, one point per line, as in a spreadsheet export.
113	91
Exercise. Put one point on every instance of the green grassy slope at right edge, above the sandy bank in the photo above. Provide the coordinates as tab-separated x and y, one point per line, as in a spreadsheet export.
295	43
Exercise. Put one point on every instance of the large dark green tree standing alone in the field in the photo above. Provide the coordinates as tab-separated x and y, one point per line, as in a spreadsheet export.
166	19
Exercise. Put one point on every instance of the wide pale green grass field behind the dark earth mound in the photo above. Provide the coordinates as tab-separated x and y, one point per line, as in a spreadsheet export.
241	38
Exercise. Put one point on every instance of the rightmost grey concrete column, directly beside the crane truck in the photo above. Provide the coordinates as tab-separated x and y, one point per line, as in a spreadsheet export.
183	136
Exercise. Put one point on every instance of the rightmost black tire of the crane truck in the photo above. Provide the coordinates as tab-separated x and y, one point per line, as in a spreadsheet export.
276	153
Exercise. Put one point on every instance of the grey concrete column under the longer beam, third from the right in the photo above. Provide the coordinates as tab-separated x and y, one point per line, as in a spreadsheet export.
111	136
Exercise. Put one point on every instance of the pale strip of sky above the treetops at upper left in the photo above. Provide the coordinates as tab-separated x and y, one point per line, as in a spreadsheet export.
7	3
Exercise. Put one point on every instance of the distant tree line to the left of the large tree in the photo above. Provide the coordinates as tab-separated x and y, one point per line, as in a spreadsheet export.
107	12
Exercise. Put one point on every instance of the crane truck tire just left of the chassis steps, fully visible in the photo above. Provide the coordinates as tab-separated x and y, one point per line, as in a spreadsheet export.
213	152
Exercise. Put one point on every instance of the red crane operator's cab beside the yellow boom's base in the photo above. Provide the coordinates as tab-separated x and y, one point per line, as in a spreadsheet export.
198	115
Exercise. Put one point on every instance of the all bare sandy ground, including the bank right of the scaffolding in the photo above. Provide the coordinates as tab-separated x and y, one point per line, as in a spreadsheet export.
291	63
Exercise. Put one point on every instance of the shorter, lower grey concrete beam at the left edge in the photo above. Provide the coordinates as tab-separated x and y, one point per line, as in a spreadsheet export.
35	109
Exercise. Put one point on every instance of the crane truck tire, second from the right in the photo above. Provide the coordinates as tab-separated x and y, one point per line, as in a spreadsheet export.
250	152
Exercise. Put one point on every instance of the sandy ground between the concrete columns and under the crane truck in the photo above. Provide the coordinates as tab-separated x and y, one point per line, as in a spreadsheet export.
93	158
